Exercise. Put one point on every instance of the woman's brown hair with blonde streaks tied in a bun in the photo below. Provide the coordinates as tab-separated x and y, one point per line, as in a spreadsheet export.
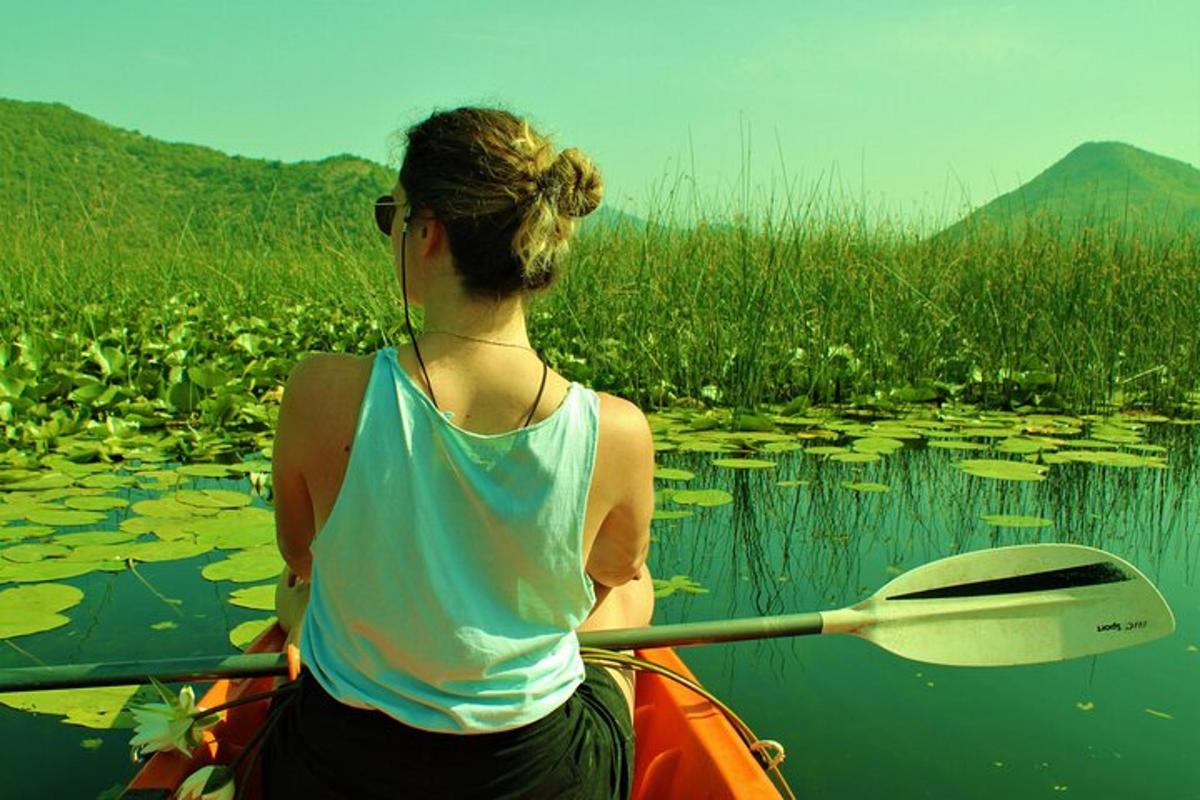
508	202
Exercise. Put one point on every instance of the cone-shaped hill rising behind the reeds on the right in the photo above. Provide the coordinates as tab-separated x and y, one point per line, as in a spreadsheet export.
1100	184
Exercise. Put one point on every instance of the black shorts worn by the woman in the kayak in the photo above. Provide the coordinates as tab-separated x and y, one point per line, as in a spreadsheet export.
326	750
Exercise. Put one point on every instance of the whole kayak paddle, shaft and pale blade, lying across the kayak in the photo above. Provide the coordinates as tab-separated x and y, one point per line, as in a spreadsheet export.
1022	605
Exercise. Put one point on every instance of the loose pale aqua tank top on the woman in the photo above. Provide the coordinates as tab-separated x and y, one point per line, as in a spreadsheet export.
472	545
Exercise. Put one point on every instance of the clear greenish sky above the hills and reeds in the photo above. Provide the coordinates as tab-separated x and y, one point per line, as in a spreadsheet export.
917	106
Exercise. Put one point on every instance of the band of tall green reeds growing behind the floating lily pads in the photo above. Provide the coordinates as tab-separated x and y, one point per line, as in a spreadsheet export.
737	316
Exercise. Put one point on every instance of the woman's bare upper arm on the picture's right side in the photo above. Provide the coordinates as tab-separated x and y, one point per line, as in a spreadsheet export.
626	454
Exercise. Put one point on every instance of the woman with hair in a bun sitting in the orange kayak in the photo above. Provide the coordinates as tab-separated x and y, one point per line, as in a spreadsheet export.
463	510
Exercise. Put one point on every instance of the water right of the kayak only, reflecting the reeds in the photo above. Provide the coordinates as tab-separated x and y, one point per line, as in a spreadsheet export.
794	549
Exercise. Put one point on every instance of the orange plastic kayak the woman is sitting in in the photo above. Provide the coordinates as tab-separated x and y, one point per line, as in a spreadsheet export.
687	750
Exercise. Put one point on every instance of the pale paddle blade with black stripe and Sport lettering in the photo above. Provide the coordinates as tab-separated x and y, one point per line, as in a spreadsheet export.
1023	605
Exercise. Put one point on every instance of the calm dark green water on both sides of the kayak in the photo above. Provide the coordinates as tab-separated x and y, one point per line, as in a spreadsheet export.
857	723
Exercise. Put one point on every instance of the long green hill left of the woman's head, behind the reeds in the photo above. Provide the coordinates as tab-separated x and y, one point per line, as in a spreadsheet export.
62	167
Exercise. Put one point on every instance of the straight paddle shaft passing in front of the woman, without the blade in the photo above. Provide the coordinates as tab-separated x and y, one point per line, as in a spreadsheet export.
170	671
